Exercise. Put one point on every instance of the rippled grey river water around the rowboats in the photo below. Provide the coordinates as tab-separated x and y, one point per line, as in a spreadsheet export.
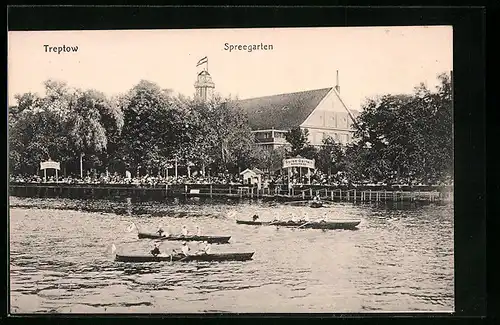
399	260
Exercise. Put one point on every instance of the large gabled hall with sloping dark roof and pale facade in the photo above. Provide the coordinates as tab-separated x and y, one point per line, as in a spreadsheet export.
321	111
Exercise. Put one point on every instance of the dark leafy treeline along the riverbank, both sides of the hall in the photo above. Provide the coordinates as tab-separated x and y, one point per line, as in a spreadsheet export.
399	138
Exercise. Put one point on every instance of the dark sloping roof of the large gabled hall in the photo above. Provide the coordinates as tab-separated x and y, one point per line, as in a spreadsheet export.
284	111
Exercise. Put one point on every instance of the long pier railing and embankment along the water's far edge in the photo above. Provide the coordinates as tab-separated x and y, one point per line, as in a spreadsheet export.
274	192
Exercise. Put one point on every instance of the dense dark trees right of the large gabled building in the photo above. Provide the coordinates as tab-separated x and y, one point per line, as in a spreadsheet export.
407	138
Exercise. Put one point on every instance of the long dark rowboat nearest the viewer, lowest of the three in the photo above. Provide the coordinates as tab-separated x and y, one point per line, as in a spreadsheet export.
223	257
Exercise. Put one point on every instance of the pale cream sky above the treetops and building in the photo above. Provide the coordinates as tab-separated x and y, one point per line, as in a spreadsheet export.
371	60
